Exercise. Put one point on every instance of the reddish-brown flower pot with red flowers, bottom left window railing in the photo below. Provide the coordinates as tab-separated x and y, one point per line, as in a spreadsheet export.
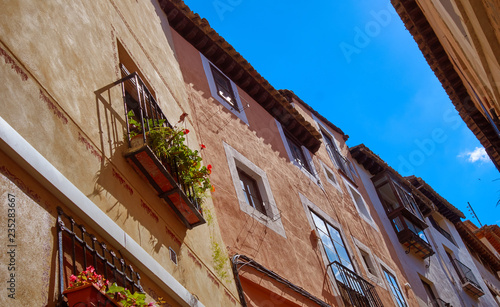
88	295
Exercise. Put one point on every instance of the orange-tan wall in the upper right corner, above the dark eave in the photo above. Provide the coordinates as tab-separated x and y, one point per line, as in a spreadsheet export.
469	31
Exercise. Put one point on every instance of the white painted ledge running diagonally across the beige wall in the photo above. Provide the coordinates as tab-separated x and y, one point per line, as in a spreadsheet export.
16	147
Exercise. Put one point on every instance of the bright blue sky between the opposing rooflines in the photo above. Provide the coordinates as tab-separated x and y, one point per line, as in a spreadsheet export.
356	64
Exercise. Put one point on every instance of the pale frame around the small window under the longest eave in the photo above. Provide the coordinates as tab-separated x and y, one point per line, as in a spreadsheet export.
240	112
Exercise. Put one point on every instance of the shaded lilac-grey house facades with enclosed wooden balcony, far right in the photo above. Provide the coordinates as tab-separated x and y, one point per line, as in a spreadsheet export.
429	238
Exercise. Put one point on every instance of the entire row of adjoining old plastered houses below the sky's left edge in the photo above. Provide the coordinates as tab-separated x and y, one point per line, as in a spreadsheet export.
294	217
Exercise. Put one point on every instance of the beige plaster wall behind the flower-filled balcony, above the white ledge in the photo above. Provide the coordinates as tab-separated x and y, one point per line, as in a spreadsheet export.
55	56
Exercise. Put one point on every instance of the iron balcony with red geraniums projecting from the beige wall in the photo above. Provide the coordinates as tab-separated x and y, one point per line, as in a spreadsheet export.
162	174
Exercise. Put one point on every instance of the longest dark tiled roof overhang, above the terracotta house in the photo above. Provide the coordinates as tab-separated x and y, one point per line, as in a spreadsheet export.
197	32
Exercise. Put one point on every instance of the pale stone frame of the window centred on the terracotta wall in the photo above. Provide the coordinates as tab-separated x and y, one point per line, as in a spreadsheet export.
272	218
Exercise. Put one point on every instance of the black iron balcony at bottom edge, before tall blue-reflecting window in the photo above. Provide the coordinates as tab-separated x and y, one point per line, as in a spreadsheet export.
354	289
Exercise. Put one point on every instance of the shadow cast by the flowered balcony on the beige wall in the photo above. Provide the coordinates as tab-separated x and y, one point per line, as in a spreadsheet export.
112	178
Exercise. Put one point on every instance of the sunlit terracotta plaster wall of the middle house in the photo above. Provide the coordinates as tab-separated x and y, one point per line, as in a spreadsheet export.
260	142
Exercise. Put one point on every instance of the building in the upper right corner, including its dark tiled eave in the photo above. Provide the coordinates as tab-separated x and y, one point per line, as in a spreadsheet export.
460	41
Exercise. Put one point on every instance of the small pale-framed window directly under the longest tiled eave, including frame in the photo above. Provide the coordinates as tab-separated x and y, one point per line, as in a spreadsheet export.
223	89
